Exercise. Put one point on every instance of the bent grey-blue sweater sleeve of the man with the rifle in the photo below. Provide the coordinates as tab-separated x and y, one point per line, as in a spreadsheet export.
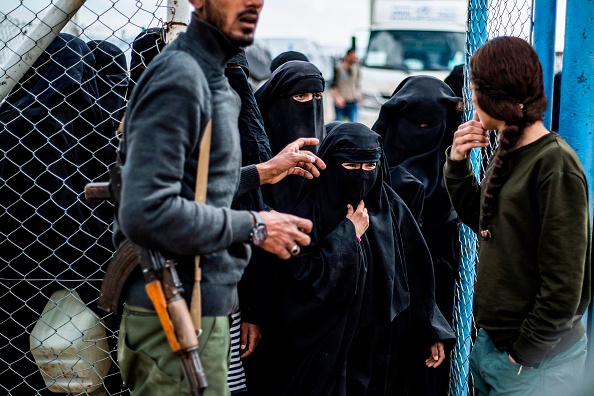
169	109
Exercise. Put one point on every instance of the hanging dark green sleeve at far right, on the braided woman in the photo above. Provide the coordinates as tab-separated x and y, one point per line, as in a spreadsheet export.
563	265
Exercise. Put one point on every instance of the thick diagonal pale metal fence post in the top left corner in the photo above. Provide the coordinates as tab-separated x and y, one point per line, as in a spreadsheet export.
54	20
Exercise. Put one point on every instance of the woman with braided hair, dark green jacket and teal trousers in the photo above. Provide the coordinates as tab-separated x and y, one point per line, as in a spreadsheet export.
531	212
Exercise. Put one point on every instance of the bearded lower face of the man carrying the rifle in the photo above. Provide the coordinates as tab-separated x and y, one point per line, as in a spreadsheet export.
237	19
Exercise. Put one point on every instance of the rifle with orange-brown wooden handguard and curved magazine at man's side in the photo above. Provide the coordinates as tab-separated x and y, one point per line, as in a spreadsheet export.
162	286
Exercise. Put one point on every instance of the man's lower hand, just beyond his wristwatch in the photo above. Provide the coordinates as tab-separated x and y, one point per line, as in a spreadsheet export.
285	233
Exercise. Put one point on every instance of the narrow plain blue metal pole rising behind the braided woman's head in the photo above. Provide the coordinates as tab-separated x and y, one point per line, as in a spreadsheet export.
544	18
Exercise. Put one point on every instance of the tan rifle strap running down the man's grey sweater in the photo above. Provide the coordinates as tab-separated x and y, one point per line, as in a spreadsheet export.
200	197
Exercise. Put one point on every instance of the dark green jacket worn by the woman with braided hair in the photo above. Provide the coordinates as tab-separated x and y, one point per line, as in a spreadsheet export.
533	276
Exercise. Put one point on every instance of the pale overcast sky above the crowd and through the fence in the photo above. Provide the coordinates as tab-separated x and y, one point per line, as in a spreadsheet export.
329	22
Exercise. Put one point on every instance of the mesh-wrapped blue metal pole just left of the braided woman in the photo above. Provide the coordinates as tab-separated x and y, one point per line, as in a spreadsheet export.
476	35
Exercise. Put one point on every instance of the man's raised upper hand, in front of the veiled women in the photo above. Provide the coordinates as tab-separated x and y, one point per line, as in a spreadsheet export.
292	161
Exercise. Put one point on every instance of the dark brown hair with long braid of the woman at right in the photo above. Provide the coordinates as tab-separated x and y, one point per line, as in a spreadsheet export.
508	85
